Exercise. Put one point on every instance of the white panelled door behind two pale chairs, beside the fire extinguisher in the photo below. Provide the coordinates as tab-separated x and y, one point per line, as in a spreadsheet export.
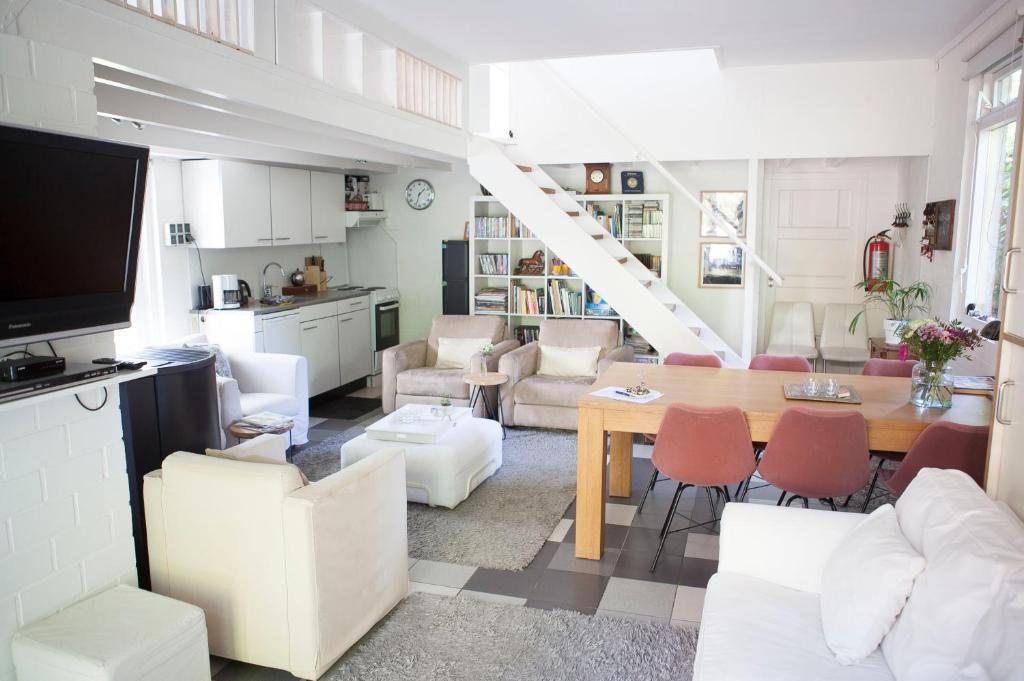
813	237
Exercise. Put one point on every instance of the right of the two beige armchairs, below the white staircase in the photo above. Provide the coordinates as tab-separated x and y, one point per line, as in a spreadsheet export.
549	402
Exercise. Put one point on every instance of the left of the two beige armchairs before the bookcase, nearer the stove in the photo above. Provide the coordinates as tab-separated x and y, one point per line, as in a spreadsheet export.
410	375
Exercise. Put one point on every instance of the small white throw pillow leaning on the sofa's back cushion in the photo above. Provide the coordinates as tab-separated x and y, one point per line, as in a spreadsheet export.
866	584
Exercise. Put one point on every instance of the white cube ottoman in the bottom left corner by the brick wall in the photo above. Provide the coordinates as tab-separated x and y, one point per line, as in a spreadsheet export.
122	634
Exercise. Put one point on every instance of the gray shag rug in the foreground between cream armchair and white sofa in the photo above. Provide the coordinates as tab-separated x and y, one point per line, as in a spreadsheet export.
436	639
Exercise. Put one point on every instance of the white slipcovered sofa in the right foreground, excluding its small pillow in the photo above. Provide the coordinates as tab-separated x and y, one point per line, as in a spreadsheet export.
964	621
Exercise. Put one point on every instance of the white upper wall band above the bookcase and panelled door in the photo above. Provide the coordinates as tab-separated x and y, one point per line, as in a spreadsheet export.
682	107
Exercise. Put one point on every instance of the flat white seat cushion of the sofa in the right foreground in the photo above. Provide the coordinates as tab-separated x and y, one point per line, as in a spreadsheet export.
753	629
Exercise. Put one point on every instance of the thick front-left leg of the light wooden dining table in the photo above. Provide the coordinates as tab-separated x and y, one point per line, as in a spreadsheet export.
590	485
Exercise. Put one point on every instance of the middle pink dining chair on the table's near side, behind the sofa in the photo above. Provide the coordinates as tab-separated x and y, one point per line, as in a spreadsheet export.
815	454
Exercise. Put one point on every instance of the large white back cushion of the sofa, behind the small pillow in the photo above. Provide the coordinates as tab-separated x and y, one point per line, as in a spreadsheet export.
975	558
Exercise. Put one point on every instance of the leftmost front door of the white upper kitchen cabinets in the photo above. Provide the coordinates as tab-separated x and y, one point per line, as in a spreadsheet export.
246	196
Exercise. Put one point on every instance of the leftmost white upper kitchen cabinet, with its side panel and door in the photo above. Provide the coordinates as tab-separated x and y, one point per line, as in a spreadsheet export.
228	203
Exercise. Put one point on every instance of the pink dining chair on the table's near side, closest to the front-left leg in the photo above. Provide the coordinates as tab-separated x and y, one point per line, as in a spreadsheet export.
700	447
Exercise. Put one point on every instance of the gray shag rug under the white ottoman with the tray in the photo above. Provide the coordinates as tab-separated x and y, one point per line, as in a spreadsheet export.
505	522
